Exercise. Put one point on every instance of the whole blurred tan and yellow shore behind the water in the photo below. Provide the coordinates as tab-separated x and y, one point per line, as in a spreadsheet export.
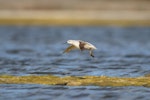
75	12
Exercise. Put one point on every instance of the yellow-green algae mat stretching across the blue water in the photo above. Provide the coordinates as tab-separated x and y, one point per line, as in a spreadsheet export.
76	81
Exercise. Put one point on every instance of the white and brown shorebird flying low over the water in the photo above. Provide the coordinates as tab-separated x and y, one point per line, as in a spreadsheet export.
78	44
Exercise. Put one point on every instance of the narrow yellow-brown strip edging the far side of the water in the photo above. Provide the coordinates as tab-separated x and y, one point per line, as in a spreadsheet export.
73	22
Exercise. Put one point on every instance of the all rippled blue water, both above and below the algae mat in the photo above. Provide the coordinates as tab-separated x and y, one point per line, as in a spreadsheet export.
122	52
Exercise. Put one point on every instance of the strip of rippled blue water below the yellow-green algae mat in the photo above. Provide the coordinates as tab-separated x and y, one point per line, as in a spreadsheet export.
40	92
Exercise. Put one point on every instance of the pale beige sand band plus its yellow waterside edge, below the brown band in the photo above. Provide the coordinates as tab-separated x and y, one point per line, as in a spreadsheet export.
75	17
